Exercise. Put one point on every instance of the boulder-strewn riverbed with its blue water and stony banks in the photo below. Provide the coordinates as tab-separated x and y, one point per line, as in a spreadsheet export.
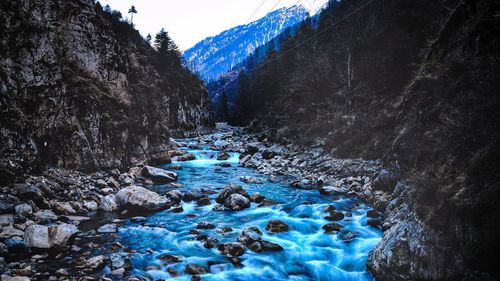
231	204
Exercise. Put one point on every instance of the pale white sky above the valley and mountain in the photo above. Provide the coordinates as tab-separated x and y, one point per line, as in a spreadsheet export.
190	21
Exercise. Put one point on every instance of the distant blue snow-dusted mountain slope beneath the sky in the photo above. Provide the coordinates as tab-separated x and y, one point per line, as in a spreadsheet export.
216	55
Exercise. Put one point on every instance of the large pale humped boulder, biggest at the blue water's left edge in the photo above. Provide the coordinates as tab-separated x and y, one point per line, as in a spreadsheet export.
140	197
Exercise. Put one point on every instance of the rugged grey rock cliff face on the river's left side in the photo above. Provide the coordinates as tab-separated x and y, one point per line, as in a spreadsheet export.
79	89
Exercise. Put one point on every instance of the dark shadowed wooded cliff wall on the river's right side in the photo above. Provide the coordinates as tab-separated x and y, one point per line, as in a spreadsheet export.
417	84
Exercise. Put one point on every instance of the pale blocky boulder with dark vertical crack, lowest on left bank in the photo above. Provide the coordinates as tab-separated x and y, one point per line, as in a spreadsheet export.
41	236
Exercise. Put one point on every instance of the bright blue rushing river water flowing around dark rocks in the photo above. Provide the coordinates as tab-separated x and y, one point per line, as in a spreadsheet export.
309	253
